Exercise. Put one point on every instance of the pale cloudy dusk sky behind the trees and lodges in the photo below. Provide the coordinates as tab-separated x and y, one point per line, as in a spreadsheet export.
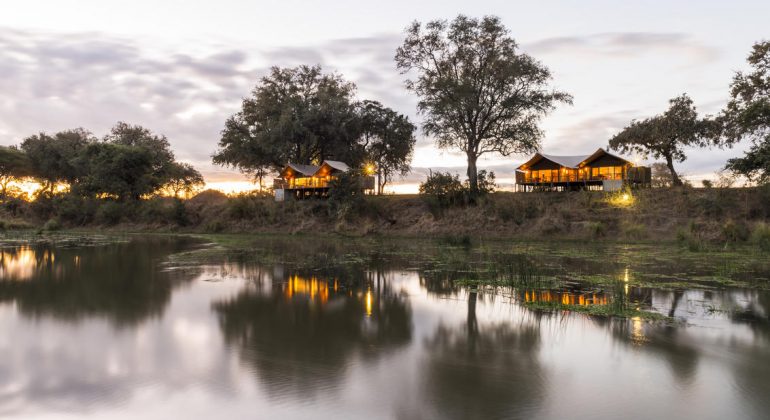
180	68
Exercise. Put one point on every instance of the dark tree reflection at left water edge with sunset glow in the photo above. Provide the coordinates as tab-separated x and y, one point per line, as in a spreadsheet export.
120	282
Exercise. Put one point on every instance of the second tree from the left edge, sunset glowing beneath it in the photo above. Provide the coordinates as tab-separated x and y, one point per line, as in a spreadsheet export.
54	159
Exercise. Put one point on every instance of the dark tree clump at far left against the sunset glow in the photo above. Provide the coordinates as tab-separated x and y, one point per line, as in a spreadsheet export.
128	163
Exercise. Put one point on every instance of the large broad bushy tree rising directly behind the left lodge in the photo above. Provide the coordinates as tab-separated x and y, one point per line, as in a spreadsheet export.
298	115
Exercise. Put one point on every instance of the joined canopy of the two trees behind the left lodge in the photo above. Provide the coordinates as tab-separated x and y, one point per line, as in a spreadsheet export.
303	115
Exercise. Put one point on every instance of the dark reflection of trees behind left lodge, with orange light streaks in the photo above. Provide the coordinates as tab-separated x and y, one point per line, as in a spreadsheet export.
300	343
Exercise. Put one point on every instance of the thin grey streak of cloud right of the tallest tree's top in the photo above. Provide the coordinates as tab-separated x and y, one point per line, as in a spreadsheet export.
626	45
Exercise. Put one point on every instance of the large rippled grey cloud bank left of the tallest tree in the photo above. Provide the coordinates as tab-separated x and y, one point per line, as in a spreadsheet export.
52	82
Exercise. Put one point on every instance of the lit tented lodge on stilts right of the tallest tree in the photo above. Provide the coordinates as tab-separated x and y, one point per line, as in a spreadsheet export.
601	170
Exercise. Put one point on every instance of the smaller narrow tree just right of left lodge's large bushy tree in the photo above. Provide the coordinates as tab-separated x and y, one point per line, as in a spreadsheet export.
388	140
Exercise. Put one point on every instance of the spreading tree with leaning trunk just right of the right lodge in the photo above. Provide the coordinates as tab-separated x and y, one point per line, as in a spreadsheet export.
665	136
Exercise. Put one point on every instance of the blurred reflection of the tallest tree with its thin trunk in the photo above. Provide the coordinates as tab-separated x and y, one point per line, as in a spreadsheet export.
483	372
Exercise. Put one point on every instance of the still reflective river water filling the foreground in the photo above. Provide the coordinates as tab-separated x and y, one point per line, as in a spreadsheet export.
117	331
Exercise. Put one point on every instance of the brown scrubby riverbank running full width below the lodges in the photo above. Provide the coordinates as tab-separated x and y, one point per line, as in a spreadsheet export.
692	216
